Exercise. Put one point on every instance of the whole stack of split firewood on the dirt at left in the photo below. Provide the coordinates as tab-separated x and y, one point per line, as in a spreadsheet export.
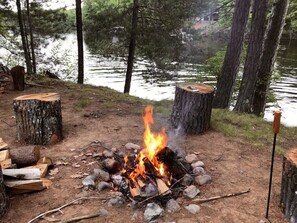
23	169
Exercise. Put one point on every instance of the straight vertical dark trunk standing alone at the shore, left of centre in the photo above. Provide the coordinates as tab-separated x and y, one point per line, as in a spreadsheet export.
80	78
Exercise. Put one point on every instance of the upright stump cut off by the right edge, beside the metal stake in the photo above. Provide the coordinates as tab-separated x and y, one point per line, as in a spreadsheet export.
289	185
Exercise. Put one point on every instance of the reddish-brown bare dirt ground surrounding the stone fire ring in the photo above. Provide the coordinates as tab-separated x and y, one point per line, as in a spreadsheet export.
233	165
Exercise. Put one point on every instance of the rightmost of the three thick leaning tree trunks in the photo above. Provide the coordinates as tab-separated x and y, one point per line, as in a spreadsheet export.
271	44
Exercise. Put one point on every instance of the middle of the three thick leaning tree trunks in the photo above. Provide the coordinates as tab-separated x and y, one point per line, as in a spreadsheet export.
254	52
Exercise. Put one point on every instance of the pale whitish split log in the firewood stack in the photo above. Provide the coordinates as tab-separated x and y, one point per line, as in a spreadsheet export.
28	174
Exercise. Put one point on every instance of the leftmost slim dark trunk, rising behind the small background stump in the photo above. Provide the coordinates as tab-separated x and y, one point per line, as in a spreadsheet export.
23	37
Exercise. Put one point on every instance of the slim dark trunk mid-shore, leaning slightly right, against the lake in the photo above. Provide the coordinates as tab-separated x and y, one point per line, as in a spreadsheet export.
132	46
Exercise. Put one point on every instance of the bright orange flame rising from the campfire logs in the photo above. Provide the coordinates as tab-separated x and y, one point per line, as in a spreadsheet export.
153	143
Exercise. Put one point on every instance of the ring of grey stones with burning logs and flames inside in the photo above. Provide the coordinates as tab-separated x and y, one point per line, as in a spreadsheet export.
152	173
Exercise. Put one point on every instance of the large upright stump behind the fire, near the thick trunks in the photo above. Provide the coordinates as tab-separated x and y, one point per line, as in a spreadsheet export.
192	107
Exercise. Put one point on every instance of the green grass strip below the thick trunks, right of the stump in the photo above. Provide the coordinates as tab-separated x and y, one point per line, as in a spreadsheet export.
251	129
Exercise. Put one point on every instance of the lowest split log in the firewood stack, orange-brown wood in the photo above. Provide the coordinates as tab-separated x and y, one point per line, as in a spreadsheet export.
23	186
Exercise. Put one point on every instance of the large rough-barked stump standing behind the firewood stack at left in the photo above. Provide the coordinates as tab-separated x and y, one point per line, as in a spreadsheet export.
38	118
